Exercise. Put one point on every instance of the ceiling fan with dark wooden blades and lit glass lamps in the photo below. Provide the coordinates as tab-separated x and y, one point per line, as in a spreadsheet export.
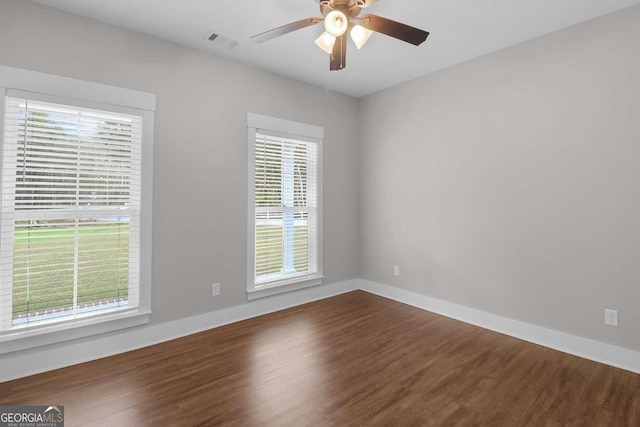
341	16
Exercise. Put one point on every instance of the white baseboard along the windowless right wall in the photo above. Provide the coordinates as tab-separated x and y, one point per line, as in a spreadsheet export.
588	349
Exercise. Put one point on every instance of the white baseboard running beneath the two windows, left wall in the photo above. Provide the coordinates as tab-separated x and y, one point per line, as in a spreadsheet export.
24	363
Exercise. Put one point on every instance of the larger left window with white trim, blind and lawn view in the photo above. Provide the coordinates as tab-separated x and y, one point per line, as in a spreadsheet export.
72	229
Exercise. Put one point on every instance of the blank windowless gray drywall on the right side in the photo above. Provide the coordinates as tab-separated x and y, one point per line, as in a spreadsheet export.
510	183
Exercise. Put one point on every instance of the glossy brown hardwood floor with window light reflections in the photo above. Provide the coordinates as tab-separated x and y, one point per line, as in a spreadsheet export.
355	359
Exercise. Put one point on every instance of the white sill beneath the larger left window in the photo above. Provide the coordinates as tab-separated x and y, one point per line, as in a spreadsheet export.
12	341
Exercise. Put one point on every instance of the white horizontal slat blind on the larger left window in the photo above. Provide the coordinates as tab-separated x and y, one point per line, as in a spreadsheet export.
70	212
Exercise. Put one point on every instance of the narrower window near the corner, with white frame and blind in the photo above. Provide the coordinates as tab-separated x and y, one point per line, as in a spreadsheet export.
285	209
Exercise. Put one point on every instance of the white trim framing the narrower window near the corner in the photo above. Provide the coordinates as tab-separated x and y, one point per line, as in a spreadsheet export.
293	130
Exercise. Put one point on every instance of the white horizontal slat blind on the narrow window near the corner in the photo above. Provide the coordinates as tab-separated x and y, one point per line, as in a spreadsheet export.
286	209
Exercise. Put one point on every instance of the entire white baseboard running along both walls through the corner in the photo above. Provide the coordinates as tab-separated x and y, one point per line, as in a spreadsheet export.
34	361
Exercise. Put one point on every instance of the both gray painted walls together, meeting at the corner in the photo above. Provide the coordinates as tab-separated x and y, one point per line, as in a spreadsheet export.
508	184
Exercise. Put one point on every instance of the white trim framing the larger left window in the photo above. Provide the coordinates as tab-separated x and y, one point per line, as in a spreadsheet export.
91	95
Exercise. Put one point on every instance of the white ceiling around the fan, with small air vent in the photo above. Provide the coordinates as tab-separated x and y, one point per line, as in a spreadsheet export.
460	30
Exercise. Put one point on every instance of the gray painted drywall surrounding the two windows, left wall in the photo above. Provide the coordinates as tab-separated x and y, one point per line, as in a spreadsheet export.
200	164
